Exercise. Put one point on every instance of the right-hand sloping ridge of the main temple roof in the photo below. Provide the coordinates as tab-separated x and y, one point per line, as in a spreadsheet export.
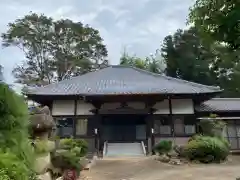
170	78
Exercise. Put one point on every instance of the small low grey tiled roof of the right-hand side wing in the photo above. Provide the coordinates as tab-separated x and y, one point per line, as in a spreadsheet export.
220	104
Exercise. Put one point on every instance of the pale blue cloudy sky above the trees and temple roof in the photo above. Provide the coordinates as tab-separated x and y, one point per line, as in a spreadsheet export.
139	26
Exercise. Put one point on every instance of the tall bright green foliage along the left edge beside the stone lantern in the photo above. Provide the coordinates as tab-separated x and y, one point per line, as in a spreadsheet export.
15	148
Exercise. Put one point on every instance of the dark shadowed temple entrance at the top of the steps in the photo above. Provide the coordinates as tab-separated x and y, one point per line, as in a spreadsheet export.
123	128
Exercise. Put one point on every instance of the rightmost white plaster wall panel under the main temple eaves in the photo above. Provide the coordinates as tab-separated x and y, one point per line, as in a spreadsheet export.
182	106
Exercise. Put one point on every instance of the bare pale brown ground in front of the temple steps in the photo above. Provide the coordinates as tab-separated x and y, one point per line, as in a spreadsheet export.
149	169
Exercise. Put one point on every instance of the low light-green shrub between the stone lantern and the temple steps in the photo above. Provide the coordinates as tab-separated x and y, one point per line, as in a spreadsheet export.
77	146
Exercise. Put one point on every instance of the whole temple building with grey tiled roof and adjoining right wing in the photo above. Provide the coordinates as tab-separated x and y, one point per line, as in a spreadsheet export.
119	106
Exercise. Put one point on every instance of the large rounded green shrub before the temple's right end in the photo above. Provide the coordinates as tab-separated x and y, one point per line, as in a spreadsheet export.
206	149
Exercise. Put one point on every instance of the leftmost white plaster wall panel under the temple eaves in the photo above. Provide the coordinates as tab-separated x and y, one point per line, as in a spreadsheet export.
62	107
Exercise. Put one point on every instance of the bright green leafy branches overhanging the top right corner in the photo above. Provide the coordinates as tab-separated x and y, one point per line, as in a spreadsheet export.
217	20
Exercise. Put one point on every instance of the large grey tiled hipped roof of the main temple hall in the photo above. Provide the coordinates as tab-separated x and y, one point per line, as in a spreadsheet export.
115	80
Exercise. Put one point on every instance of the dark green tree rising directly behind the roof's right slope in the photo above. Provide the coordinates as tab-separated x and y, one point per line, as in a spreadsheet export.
186	57
